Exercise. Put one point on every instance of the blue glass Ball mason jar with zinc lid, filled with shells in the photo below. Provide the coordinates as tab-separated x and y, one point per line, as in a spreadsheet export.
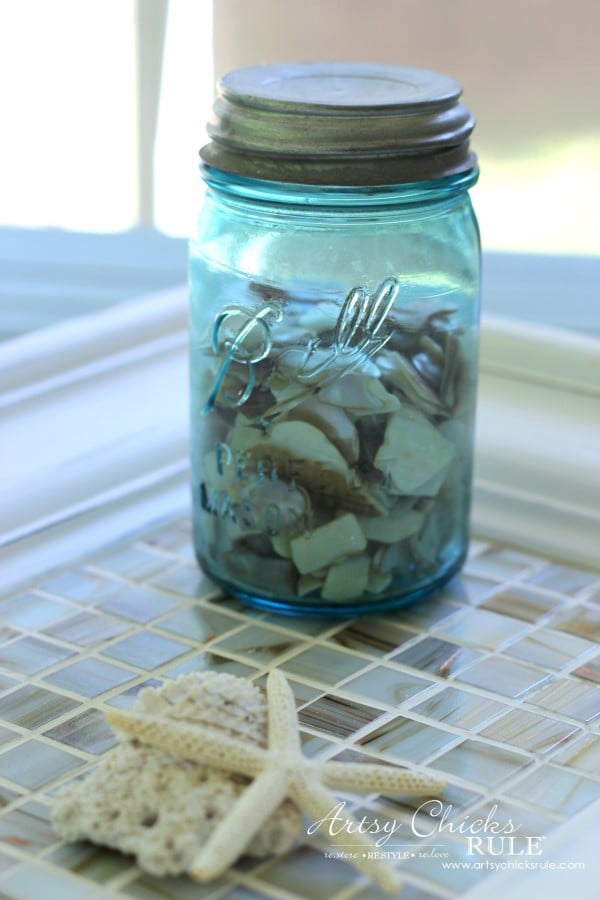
334	324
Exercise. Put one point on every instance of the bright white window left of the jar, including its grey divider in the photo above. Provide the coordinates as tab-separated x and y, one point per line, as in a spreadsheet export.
104	113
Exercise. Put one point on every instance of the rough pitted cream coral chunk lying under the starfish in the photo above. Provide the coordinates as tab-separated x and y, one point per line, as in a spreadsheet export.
142	801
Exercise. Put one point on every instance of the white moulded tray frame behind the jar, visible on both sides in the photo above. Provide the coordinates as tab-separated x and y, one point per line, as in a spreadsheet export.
95	412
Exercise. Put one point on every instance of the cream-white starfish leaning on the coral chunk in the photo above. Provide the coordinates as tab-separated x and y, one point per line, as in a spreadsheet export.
279	771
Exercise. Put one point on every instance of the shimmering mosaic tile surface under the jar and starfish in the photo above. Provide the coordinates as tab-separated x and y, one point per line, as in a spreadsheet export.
492	684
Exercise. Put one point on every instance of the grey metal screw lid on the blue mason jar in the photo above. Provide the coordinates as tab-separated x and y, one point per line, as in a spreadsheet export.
339	124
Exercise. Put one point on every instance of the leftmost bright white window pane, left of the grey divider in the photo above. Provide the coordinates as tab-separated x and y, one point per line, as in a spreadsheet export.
67	71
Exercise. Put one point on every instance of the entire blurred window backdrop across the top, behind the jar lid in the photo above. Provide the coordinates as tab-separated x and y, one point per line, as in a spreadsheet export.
95	104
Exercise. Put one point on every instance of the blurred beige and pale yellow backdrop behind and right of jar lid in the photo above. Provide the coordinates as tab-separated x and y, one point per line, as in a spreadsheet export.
530	71
